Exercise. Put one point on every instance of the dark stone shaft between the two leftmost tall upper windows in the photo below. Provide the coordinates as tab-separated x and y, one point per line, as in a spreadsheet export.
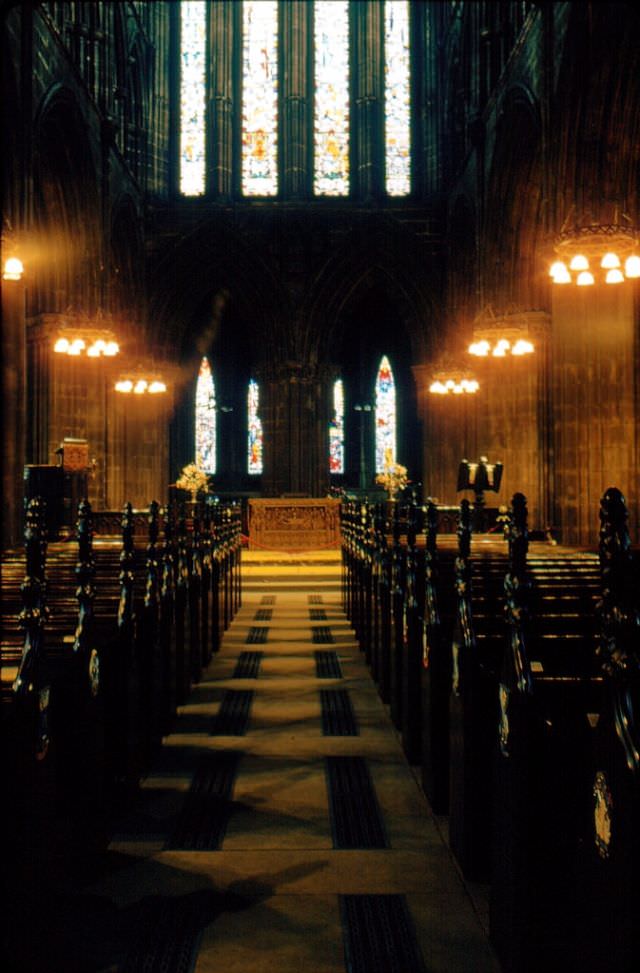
223	26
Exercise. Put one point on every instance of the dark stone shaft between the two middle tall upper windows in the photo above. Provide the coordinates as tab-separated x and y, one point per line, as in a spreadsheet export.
295	150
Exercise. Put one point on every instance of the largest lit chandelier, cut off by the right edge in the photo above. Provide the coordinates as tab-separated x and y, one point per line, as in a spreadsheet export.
598	253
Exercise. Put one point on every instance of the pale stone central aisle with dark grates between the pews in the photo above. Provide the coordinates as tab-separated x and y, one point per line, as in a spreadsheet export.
283	829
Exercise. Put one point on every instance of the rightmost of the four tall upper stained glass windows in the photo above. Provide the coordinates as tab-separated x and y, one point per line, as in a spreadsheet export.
397	108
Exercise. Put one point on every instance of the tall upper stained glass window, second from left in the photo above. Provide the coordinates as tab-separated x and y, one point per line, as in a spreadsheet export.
259	97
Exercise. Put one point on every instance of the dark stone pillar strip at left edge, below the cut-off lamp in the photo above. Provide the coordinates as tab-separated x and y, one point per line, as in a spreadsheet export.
14	371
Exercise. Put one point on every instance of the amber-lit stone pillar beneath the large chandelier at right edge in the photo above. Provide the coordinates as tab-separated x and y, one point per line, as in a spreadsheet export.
595	407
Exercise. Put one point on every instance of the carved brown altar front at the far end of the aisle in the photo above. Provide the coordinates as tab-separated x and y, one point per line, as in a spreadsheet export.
293	524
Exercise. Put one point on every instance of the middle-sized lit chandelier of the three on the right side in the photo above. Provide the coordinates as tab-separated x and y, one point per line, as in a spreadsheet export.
502	335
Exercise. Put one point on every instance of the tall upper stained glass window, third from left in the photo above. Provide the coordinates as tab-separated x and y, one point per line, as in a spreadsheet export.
331	113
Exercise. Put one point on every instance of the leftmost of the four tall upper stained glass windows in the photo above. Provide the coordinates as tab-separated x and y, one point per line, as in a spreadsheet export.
193	53
